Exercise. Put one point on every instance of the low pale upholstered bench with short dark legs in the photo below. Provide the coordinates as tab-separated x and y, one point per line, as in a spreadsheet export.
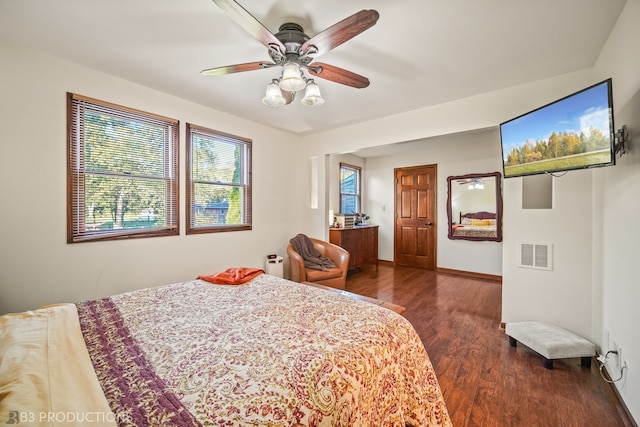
551	342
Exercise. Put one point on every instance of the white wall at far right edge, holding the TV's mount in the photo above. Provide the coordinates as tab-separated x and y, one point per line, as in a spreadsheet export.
617	201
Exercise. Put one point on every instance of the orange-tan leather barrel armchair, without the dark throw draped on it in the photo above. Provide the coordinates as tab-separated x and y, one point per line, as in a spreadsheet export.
334	277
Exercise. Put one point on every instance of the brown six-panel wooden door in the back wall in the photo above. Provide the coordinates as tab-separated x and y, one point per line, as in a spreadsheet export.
415	217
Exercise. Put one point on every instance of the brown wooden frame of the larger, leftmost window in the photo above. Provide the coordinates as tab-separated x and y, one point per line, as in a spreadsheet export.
77	230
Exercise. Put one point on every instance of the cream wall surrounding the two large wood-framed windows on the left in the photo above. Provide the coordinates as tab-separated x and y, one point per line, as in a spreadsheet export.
38	267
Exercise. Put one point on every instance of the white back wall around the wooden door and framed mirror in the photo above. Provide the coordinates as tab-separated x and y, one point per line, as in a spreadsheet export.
457	154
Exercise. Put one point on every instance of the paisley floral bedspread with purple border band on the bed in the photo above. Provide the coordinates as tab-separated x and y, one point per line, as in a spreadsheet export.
266	353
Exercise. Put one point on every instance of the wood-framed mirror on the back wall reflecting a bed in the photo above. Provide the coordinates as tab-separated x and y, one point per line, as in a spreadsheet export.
474	207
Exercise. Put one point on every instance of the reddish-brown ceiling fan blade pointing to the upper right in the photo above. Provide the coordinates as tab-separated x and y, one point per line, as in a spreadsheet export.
339	33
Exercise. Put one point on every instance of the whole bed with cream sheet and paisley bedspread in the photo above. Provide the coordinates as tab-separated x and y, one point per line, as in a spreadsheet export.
269	352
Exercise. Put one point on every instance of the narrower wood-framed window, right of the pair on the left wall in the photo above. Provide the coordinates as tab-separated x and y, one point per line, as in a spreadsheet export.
218	181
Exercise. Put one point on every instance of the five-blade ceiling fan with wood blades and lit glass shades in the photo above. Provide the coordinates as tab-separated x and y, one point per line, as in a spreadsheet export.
294	51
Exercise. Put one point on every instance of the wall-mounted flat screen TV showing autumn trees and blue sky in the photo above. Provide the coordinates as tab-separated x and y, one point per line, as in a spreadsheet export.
575	132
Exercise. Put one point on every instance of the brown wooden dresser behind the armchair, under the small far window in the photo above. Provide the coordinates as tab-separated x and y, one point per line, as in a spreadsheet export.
361	242
